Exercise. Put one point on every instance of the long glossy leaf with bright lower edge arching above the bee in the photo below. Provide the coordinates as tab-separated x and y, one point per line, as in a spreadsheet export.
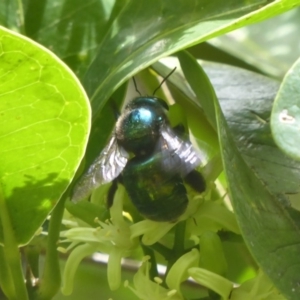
141	34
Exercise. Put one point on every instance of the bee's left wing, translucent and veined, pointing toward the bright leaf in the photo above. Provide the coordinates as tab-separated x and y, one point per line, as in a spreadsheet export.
106	167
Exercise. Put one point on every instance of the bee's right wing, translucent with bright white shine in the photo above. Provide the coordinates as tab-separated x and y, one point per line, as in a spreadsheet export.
179	155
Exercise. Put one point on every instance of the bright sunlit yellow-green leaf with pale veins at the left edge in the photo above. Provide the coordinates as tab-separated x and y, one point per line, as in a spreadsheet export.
44	125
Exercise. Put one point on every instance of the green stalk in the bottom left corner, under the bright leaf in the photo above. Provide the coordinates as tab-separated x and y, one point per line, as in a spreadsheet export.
16	285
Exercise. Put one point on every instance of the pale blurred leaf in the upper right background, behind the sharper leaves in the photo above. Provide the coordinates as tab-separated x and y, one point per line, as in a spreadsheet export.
271	46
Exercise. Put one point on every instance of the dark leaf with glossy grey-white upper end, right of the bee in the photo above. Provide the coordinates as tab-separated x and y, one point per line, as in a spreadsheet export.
246	99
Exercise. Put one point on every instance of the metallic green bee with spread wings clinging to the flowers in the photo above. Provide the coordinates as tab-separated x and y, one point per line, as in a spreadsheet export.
160	164
